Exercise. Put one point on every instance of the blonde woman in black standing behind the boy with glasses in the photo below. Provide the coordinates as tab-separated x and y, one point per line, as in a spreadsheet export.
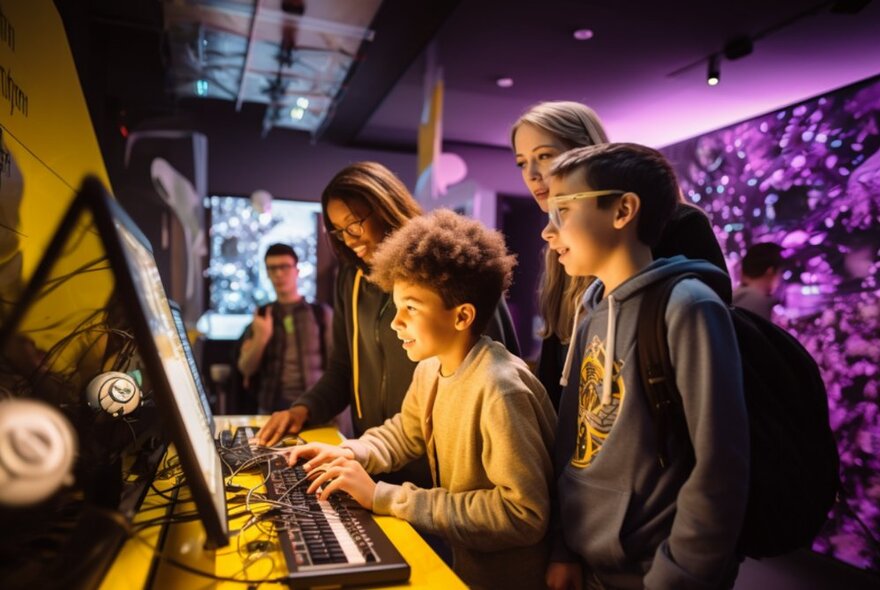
543	132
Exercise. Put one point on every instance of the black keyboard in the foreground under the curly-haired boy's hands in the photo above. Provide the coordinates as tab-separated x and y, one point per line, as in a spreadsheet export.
333	542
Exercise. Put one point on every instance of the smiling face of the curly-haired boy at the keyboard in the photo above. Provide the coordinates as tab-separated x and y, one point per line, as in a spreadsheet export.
424	324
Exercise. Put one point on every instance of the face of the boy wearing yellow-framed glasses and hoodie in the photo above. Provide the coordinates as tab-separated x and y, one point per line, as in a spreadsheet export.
586	235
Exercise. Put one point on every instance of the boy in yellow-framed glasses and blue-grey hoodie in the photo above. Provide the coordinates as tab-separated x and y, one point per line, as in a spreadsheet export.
624	520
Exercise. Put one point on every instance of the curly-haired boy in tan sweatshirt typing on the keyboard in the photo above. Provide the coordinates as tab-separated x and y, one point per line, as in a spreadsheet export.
482	419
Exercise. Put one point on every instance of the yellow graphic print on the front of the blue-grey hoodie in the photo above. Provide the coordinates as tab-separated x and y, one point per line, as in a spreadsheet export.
594	419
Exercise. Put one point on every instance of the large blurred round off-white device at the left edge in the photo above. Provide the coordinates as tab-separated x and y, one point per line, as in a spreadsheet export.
37	451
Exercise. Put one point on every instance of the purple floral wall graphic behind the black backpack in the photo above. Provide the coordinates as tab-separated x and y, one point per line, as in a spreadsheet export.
808	177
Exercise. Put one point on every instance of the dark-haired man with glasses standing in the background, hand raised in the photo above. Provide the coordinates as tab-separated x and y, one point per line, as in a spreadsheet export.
285	349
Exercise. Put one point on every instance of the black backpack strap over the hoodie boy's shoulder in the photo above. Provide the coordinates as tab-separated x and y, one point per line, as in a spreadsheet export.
655	366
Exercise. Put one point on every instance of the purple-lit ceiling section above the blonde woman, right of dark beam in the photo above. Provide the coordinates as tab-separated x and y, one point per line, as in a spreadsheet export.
644	70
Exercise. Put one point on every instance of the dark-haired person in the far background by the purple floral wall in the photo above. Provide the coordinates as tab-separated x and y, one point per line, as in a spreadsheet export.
761	276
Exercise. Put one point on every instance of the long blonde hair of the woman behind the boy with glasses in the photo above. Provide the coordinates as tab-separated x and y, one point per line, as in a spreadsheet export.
575	125
